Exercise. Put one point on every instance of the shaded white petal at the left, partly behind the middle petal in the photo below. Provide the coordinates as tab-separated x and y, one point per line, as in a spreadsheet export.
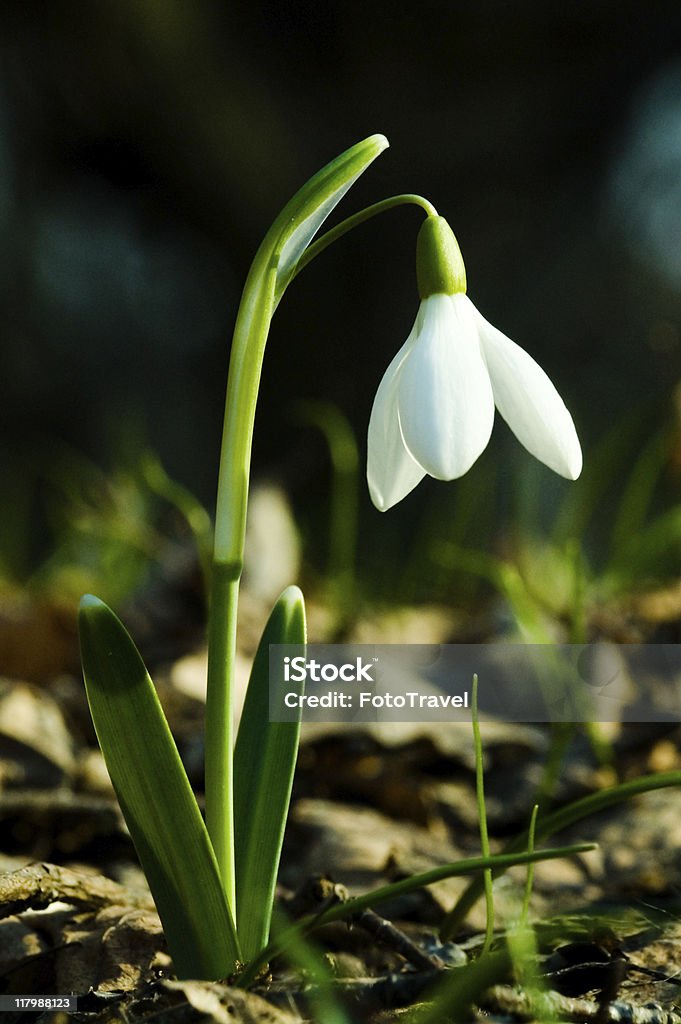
392	473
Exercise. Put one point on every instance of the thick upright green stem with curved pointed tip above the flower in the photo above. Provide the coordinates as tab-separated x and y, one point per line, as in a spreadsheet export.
274	268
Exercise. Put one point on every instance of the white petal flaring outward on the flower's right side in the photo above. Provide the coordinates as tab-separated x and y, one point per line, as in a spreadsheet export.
530	403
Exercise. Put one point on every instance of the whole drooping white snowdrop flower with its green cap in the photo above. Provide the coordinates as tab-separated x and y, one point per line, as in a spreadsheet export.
435	409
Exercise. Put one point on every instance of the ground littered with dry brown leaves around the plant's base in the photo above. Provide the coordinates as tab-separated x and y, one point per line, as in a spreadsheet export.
370	806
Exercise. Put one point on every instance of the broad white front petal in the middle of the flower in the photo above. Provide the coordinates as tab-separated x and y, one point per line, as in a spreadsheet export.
446	403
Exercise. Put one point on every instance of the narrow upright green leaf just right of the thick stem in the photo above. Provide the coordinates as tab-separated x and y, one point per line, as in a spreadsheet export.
265	764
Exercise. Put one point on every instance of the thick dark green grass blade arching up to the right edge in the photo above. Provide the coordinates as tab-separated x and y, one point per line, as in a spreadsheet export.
555	823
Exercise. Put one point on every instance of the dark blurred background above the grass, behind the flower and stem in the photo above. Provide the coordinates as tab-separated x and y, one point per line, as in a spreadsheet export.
146	148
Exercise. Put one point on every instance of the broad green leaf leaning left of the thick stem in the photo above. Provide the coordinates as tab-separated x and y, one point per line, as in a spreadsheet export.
156	798
